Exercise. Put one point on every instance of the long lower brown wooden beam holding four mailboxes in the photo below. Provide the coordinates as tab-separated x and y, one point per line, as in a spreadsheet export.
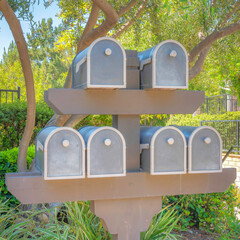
32	188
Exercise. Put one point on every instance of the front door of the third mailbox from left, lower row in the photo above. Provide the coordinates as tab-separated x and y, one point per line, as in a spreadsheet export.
168	152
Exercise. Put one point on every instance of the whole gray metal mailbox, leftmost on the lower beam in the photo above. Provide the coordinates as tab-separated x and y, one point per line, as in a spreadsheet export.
60	153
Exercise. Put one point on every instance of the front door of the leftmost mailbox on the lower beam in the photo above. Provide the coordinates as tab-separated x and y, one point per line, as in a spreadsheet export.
64	155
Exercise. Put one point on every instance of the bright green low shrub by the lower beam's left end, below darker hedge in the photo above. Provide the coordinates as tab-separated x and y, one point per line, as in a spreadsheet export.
8	163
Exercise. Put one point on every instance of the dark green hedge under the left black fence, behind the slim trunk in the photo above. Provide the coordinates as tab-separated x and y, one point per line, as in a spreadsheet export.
13	119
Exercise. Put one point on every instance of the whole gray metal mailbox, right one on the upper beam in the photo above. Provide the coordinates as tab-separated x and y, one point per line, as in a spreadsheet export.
164	66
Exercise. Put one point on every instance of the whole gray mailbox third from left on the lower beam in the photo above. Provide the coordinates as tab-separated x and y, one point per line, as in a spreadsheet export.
163	150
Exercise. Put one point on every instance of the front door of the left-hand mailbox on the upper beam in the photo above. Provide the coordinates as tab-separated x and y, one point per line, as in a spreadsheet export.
107	70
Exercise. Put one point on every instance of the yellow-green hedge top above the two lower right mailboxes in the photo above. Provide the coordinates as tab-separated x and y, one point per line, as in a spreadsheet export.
190	120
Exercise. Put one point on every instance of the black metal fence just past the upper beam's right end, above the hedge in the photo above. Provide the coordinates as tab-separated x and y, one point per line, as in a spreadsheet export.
220	104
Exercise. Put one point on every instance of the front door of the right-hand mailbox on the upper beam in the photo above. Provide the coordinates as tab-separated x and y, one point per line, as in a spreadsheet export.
170	71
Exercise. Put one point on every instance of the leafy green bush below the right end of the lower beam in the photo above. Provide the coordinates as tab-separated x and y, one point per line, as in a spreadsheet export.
214	212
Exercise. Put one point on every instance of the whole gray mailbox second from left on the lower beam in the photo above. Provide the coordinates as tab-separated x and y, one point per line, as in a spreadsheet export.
106	151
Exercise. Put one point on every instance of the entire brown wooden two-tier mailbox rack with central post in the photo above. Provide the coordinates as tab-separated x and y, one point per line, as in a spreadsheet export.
127	204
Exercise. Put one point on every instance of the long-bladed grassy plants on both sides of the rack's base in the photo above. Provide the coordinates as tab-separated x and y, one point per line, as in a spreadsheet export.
73	221
